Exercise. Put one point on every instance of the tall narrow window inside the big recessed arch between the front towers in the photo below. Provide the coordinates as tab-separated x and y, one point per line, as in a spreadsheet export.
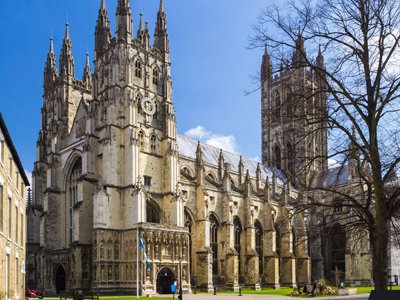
73	178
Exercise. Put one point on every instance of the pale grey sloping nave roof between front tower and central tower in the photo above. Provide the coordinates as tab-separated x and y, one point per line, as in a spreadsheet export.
187	148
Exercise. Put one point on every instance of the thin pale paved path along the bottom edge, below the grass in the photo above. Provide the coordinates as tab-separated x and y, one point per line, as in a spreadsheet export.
266	297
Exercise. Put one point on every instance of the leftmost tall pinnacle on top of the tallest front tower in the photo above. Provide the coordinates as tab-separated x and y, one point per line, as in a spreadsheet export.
103	31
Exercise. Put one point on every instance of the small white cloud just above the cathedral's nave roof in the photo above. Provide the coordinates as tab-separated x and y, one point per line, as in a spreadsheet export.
225	142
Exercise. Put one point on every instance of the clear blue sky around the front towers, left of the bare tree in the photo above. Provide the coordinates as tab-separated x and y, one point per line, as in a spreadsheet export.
211	67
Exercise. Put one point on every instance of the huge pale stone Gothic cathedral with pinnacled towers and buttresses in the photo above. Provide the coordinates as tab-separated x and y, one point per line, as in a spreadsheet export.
110	167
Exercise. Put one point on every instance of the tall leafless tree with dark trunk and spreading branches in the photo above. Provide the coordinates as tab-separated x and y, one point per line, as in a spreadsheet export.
360	41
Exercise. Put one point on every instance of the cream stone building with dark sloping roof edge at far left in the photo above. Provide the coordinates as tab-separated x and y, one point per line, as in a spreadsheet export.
13	182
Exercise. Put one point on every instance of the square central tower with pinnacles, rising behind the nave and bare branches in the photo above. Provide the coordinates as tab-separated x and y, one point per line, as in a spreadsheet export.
294	128
